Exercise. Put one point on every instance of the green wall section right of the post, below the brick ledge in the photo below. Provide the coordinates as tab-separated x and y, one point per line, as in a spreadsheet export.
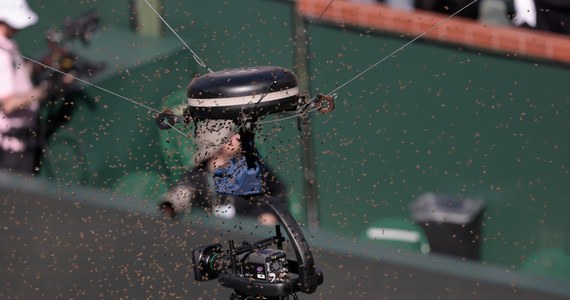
439	118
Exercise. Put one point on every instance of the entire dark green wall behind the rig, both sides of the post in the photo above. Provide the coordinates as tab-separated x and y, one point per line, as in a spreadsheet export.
434	118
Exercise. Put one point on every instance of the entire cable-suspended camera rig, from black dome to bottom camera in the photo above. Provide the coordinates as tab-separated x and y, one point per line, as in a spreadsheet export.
244	95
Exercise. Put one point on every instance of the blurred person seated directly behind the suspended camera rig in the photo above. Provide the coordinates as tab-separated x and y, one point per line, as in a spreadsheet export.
217	143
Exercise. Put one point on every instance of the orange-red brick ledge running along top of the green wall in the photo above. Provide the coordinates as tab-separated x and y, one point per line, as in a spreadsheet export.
515	41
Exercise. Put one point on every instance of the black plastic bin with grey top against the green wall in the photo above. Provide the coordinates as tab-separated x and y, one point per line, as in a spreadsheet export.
452	225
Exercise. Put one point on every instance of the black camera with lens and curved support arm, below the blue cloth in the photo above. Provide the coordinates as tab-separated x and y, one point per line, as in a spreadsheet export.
261	268
